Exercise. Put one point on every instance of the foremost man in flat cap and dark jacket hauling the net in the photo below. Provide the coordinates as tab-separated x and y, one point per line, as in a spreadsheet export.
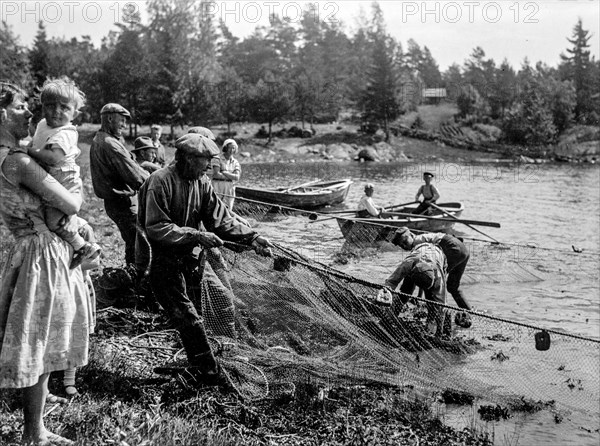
180	212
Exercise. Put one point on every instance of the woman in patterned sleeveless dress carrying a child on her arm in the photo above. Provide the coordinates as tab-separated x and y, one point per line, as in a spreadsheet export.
44	304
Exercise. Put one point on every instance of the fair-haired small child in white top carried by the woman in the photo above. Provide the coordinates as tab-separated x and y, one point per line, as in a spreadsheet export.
54	145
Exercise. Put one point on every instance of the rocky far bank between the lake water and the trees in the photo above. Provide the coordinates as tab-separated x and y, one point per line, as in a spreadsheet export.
408	145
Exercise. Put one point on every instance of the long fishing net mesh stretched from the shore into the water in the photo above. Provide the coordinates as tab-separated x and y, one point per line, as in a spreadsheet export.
297	319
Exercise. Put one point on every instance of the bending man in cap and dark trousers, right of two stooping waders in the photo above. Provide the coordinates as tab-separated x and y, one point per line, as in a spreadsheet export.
457	257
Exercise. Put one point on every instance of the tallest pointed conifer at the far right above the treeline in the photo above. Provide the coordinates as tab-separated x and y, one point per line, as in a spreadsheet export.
578	67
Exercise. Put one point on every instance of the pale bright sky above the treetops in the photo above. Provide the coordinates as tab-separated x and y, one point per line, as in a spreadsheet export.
510	29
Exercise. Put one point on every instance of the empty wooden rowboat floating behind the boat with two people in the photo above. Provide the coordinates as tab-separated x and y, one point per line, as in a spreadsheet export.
313	195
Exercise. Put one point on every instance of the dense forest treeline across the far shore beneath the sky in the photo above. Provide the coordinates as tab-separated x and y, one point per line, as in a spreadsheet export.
184	66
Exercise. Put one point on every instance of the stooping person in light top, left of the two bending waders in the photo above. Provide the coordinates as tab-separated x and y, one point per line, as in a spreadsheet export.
424	267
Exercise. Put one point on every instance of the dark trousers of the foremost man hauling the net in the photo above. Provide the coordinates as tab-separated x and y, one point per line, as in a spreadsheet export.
177	283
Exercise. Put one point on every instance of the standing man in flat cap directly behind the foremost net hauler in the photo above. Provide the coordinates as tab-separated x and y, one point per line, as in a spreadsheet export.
116	176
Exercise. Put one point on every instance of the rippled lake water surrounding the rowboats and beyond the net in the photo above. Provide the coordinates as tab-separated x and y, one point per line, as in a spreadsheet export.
537	278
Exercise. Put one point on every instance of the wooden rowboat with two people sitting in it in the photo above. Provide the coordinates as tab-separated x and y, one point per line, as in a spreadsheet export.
373	230
